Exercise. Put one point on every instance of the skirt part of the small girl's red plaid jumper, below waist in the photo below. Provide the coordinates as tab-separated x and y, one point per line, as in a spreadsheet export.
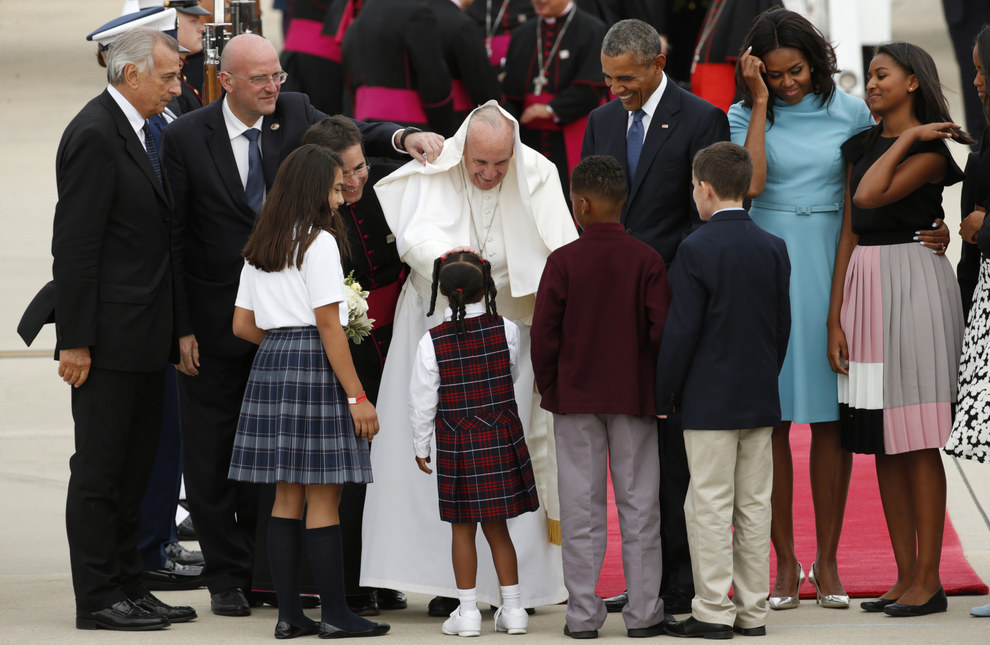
483	468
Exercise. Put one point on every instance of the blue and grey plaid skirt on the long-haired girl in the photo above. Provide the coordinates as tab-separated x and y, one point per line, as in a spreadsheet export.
294	425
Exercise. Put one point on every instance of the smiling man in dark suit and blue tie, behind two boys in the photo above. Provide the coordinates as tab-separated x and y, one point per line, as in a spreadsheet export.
654	128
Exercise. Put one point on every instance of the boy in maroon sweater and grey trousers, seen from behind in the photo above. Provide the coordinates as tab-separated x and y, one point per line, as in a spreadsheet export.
600	311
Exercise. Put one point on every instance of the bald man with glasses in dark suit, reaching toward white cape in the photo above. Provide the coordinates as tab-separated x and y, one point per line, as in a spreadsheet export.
218	176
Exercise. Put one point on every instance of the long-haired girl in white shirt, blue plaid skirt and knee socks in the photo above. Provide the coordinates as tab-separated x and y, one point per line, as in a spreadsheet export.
305	424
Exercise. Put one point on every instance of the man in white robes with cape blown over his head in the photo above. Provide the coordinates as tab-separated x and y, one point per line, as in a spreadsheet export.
485	190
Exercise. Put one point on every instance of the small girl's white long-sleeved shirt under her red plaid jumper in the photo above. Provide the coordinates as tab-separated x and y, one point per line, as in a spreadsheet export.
424	387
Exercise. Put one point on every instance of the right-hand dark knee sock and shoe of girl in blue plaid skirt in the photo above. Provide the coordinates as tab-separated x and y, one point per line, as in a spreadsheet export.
326	556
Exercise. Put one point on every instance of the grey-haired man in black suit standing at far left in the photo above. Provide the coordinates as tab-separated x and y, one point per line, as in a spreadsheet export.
113	295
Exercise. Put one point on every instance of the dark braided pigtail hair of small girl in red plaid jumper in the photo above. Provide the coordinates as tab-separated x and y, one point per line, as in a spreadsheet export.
464	278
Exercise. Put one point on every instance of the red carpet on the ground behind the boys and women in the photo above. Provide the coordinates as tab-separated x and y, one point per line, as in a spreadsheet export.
866	562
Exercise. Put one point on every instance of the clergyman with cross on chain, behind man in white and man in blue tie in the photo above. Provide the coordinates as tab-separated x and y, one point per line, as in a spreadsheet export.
553	79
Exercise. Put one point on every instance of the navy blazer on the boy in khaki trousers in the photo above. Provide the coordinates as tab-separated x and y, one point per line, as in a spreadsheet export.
727	330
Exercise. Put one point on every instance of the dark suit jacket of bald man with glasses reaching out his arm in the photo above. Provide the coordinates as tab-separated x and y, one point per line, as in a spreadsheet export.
212	217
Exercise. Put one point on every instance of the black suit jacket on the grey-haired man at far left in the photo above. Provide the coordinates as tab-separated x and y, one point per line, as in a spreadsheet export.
110	244
